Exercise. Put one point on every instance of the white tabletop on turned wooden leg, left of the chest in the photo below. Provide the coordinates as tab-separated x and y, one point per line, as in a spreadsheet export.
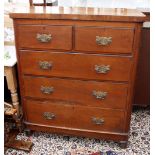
9	56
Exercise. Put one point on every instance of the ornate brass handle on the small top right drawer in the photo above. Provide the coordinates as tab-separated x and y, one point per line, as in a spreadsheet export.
103	41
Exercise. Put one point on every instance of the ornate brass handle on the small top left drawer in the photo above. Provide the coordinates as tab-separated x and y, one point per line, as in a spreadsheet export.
44	38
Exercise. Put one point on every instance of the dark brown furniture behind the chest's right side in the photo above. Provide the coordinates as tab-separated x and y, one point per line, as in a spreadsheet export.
142	85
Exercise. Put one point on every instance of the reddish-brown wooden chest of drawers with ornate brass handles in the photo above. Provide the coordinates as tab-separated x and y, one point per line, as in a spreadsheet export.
77	68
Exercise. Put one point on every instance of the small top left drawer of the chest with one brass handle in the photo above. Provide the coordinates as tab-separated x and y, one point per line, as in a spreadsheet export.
45	37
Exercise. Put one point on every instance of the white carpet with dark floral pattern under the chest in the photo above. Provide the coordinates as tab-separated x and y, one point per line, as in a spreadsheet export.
52	144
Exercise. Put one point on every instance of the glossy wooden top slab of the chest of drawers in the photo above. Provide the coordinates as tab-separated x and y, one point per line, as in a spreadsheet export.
78	13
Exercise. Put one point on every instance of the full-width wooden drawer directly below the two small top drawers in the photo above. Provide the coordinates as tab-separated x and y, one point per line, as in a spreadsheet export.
84	66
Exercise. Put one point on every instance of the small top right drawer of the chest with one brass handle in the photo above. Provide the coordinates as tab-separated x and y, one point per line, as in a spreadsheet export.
104	40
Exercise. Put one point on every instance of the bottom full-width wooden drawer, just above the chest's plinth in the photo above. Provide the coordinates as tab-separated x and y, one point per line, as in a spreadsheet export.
52	114
